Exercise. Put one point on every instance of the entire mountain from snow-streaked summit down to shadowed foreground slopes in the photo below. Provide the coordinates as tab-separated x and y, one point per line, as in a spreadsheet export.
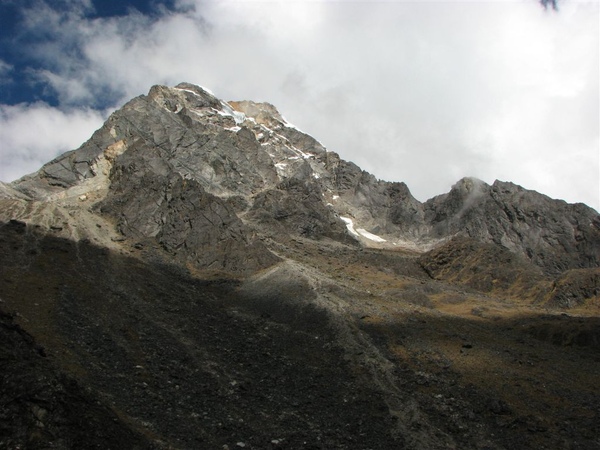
201	274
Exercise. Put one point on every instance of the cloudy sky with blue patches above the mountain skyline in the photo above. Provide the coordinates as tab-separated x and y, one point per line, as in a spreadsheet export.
422	92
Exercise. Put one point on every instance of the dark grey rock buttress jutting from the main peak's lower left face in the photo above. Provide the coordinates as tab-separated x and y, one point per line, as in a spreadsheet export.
149	199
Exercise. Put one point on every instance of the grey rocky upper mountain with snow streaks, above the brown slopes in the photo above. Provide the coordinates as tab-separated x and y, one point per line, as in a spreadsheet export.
280	181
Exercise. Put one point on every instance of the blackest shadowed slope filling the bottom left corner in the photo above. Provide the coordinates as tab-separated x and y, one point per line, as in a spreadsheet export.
44	408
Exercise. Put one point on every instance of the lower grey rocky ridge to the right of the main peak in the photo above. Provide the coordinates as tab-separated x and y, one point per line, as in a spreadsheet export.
551	233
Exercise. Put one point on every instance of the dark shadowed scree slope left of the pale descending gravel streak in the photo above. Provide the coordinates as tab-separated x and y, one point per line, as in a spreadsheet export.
184	362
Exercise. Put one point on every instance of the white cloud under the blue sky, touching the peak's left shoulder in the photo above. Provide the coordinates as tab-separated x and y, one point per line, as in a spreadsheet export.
32	135
